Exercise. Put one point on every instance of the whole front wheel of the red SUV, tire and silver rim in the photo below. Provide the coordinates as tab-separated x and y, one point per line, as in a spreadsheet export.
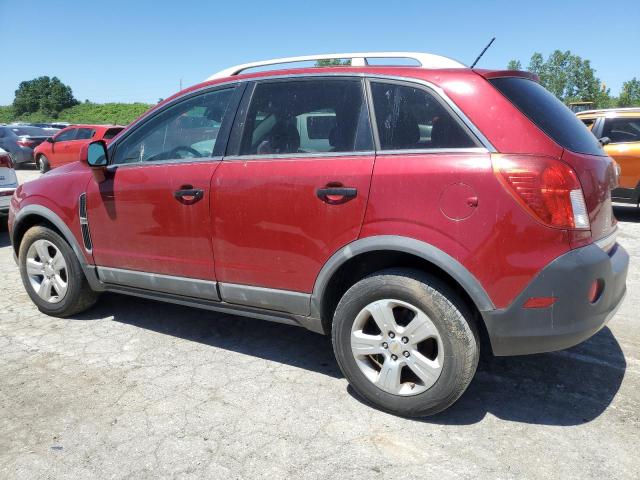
52	275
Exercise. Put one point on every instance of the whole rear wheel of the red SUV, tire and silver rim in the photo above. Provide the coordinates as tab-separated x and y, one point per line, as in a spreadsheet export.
405	342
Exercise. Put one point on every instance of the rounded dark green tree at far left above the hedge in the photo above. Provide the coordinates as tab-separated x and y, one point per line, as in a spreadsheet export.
48	96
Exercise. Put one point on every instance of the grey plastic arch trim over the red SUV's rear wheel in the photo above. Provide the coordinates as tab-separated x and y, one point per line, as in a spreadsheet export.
421	249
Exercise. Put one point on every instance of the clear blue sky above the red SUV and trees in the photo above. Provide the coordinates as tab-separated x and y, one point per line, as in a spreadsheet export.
139	50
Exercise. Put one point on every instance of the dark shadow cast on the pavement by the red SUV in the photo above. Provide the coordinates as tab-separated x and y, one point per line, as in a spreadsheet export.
561	388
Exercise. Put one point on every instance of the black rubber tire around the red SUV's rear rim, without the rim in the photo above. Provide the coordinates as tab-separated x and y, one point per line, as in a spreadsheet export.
452	319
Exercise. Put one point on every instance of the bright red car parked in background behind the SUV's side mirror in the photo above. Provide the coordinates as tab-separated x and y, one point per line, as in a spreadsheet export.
64	147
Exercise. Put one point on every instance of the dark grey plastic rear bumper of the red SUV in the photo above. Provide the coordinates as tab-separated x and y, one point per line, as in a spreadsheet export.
572	318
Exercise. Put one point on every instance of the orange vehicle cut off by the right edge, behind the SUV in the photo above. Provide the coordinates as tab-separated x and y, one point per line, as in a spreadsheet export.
619	132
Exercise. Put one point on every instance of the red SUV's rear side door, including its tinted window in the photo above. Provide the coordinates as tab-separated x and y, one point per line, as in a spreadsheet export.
283	202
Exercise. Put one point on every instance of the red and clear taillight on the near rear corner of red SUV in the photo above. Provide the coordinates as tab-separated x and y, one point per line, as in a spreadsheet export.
547	188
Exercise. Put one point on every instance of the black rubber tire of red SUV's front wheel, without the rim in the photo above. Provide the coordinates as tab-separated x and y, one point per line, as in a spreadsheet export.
79	295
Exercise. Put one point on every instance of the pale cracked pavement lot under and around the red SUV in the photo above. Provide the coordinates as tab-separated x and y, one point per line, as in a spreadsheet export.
140	389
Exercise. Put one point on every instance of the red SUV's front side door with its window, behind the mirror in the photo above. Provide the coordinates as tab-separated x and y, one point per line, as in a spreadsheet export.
150	217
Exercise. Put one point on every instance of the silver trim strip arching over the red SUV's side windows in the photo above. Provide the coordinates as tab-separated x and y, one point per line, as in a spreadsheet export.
370	76
